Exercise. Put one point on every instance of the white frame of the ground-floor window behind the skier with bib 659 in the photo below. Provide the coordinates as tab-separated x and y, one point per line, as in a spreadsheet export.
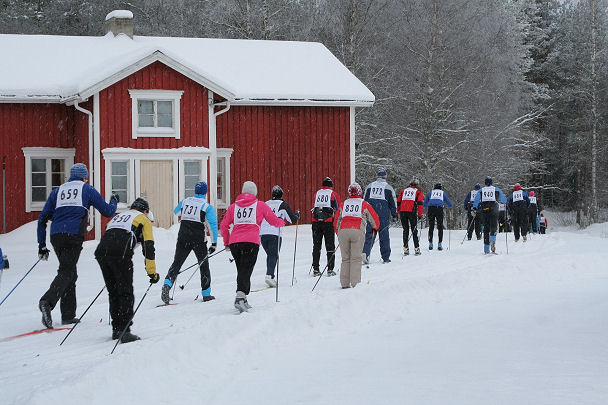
30	153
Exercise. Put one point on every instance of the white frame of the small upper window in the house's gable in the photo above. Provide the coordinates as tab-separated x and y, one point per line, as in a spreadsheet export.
155	95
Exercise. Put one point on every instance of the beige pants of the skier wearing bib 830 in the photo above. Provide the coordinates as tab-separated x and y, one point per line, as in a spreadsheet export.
351	246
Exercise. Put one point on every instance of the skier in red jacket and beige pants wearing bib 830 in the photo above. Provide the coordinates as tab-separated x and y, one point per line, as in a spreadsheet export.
354	216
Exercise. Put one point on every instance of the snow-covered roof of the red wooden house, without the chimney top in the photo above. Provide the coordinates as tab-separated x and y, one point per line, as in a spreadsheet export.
49	68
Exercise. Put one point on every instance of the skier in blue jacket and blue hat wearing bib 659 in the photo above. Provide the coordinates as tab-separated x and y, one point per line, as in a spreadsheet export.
67	208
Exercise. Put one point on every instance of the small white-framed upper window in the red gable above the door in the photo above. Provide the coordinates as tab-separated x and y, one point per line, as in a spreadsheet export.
155	113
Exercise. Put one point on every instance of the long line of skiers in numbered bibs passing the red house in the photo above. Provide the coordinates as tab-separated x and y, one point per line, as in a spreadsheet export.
247	223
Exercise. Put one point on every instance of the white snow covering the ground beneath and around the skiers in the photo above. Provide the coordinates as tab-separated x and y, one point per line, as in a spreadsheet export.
451	327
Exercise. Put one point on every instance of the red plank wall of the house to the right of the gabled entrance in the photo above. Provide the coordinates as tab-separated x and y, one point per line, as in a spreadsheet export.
295	147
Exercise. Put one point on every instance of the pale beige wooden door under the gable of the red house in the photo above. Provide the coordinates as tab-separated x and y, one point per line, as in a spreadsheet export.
156	186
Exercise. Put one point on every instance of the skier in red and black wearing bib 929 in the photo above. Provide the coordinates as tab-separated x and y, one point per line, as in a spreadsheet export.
410	210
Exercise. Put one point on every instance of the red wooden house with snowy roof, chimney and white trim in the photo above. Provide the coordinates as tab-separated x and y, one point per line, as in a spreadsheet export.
152	116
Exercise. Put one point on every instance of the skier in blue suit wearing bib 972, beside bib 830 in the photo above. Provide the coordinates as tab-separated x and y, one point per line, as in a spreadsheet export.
381	196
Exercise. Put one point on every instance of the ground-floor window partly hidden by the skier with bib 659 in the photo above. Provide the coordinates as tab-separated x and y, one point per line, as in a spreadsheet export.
45	170
